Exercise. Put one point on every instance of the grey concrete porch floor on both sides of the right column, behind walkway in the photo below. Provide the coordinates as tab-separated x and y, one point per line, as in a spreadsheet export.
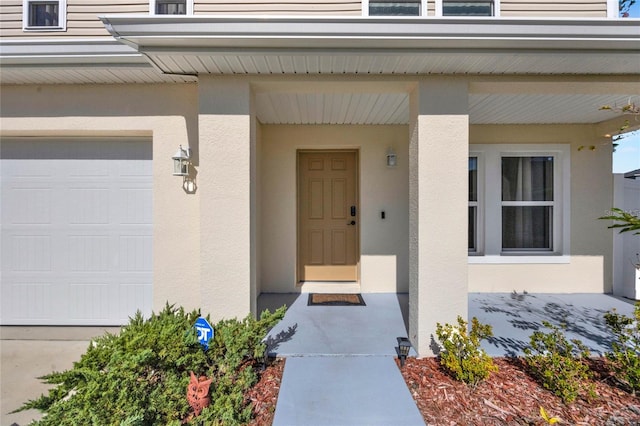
372	329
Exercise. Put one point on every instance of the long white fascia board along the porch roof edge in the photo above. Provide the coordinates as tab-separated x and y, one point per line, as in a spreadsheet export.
183	33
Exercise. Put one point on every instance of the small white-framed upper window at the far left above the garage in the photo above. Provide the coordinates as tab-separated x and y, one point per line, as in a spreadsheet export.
44	15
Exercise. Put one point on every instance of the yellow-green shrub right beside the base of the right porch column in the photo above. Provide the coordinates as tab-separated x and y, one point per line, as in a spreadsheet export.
462	356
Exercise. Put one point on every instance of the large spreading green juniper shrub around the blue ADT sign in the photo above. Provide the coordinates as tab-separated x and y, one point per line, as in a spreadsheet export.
140	376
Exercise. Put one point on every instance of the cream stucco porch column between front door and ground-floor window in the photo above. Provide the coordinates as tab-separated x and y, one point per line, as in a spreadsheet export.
438	205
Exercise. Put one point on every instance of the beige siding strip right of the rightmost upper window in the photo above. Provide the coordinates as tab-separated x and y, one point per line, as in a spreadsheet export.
553	8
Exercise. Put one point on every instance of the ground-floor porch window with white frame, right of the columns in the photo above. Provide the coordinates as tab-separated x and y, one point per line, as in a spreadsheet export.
519	199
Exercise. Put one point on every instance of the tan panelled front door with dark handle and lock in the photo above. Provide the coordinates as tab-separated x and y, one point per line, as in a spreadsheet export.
327	215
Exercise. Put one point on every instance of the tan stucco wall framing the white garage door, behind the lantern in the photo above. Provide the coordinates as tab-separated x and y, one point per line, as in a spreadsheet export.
165	113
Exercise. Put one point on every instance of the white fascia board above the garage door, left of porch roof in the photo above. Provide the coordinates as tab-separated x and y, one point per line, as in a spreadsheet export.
67	51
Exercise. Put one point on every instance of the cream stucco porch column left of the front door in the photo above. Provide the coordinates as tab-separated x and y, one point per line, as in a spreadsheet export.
226	147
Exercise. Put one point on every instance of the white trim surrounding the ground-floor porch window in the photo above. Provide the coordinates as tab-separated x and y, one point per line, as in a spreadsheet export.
490	191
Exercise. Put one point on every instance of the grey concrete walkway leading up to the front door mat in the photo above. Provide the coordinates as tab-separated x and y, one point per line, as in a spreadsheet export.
340	367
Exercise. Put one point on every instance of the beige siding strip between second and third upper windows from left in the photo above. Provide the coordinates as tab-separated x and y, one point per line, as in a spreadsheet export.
282	7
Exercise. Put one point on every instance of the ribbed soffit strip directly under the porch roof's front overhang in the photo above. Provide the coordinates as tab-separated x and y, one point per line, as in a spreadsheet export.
417	64
